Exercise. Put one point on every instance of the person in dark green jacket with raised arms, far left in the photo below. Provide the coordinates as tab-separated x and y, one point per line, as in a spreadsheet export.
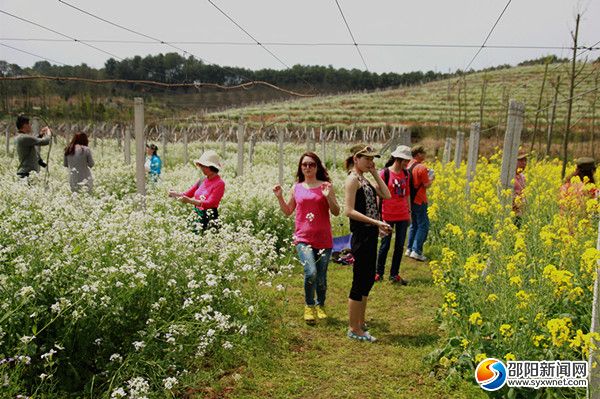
28	147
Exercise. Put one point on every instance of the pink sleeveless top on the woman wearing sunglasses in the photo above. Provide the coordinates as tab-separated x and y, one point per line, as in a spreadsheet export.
313	226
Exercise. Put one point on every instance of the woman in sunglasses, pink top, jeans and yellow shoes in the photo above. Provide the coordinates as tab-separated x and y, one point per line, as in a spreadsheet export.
313	198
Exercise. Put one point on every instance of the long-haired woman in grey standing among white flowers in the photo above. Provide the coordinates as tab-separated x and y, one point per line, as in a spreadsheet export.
78	159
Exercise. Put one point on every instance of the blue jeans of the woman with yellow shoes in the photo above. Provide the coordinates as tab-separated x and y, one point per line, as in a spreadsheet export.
315	263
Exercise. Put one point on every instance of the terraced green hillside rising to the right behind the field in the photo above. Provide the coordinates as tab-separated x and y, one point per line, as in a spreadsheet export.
439	104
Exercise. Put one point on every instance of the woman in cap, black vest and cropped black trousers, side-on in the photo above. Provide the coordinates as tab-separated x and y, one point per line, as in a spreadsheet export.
361	209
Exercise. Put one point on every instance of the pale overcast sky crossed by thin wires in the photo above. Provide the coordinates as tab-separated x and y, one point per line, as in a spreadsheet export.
424	22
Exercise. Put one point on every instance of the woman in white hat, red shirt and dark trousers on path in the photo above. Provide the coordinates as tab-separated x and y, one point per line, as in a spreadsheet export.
395	211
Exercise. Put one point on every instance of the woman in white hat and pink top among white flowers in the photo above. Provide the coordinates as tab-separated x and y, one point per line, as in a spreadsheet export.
206	193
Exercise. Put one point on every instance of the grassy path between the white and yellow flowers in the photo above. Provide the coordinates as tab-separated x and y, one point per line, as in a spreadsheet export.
320	362
